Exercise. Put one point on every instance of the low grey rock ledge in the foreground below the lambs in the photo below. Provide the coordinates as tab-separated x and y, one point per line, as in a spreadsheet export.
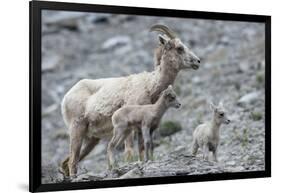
174	164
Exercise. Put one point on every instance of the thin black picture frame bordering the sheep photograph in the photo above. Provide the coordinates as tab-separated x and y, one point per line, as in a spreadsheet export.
35	8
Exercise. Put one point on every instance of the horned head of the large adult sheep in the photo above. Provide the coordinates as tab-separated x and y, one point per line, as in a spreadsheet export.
174	51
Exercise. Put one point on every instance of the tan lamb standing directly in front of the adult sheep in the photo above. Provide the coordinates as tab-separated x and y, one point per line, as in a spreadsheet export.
144	119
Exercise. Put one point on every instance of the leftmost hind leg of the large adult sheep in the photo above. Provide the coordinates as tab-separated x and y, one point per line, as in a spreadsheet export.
77	133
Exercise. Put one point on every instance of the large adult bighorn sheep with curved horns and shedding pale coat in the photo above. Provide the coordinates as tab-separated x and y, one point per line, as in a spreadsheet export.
88	106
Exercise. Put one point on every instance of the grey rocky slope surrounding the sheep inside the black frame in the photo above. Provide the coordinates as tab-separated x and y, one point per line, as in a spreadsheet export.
85	45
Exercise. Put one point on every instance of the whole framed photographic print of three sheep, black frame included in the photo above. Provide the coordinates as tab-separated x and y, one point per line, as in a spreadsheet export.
126	96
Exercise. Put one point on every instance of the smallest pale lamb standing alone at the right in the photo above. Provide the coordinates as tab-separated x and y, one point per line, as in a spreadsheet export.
206	136
